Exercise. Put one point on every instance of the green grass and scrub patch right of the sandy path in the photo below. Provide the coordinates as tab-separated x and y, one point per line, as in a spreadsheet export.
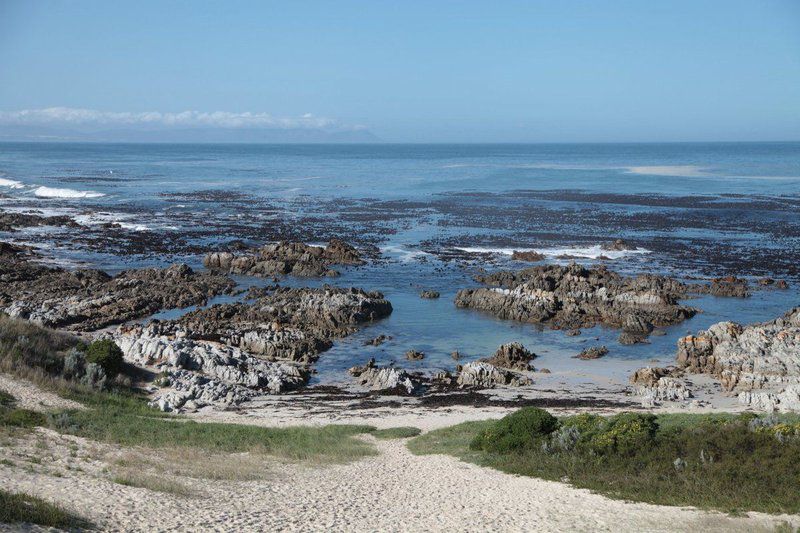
722	462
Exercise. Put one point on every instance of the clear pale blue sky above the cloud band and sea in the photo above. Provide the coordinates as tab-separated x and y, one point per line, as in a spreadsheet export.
410	71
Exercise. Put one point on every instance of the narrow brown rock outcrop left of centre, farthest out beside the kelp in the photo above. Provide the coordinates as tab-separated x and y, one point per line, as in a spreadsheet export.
283	258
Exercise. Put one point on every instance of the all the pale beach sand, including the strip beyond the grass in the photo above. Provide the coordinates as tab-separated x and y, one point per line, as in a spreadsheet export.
393	491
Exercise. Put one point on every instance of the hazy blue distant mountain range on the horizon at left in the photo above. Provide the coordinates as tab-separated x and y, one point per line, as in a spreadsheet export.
188	135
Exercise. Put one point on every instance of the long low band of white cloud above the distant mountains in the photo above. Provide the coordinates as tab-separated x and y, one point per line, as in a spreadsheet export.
68	116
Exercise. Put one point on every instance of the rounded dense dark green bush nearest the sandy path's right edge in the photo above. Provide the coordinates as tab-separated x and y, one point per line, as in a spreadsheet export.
515	432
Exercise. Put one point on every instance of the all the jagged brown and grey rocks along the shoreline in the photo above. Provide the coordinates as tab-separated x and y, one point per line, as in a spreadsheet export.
269	339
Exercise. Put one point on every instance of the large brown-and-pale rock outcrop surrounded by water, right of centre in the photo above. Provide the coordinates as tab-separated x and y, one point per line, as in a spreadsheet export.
573	297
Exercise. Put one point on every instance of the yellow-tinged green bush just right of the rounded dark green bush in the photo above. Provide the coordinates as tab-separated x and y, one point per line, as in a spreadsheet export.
625	434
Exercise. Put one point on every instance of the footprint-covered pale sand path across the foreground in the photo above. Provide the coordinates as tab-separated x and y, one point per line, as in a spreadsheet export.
394	491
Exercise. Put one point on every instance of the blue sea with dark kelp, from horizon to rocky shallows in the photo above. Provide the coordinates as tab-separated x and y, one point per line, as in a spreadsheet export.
694	210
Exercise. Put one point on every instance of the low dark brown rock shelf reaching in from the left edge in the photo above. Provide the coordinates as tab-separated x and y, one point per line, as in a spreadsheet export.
87	300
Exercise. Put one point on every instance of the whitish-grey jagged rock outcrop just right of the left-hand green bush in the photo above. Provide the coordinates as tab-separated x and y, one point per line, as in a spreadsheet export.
203	371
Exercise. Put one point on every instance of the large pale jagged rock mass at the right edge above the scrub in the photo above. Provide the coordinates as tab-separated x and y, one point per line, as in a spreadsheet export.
746	357
